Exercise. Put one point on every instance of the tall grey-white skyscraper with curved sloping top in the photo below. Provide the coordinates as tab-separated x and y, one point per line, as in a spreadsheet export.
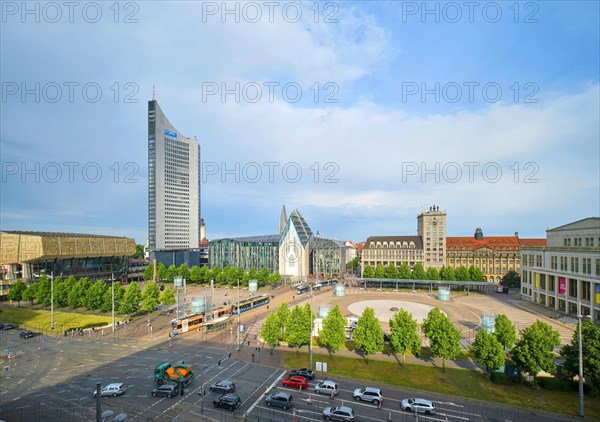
173	186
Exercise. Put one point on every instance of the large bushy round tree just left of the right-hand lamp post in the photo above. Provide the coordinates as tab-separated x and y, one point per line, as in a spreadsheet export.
533	353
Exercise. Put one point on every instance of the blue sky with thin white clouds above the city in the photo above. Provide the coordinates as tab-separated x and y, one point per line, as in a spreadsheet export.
361	115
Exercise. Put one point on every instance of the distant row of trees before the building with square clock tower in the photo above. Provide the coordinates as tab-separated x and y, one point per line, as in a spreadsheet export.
462	273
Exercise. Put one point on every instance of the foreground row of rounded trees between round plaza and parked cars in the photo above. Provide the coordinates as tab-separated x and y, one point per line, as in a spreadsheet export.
533	353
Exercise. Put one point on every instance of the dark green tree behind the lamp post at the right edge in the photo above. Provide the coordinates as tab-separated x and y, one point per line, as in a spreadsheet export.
590	334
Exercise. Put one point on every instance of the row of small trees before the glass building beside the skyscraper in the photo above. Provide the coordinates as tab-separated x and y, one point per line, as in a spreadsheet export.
226	275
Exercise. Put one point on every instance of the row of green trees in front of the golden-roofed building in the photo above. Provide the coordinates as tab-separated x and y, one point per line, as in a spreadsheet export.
97	295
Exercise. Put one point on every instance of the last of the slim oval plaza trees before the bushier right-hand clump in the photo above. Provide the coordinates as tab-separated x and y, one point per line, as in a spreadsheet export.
444	339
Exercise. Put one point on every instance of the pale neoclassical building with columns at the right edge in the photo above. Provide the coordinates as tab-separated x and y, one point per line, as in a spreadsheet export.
566	271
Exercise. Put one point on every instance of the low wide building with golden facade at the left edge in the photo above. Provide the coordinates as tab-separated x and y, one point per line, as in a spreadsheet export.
27	255
